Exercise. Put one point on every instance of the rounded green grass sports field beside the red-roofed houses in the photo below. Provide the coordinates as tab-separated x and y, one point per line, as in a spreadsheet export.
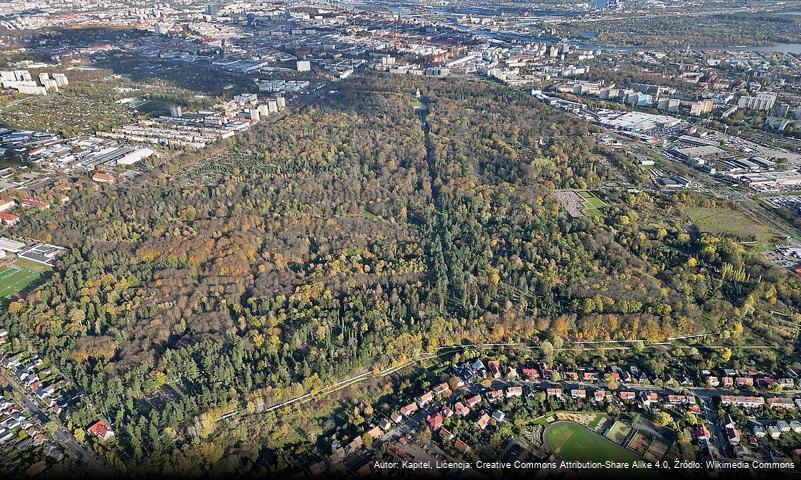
573	442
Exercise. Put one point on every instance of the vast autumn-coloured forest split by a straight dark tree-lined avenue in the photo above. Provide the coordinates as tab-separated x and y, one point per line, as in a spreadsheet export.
358	232
